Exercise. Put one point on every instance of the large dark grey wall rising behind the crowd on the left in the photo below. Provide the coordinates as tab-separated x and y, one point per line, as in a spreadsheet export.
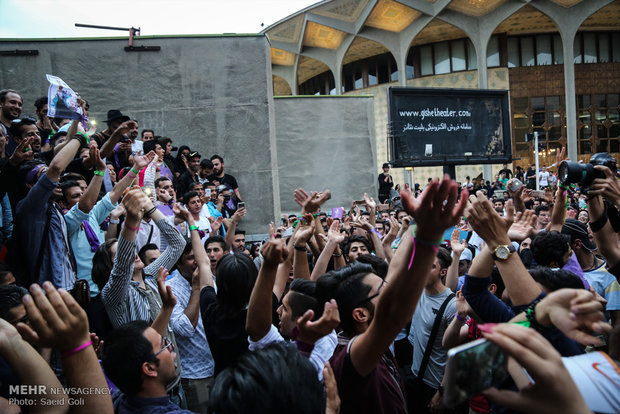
212	93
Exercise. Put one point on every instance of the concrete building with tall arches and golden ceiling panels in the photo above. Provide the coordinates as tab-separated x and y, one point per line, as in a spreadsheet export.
559	59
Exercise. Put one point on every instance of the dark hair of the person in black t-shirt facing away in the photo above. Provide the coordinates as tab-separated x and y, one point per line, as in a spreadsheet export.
236	275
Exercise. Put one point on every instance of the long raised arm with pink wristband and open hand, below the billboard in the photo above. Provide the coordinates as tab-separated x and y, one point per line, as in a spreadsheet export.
437	208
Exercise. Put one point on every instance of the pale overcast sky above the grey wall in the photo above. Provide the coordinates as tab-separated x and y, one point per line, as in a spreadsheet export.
56	18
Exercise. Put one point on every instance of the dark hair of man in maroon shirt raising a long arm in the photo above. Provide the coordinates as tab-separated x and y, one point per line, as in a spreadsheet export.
347	287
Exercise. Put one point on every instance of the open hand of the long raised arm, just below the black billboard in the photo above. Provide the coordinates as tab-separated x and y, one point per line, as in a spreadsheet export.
436	209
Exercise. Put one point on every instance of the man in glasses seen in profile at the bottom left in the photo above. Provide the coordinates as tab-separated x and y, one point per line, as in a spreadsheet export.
142	374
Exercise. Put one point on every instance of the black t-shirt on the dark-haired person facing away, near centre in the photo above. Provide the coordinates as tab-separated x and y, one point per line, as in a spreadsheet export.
226	336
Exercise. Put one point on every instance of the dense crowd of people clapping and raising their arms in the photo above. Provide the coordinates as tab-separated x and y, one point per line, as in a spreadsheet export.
127	282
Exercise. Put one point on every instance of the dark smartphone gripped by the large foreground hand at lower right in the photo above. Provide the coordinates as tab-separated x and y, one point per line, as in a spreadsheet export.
472	368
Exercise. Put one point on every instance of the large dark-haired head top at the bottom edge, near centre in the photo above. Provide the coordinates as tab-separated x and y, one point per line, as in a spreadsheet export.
275	379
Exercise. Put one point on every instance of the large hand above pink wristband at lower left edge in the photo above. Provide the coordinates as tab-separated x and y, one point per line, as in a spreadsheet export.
56	320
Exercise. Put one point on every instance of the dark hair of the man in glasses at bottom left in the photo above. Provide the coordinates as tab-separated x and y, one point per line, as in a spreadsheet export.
126	349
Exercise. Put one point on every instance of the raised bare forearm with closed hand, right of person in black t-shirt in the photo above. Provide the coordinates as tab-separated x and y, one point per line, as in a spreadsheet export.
258	320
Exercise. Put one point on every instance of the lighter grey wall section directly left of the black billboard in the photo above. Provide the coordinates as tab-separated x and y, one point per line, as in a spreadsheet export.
326	143
